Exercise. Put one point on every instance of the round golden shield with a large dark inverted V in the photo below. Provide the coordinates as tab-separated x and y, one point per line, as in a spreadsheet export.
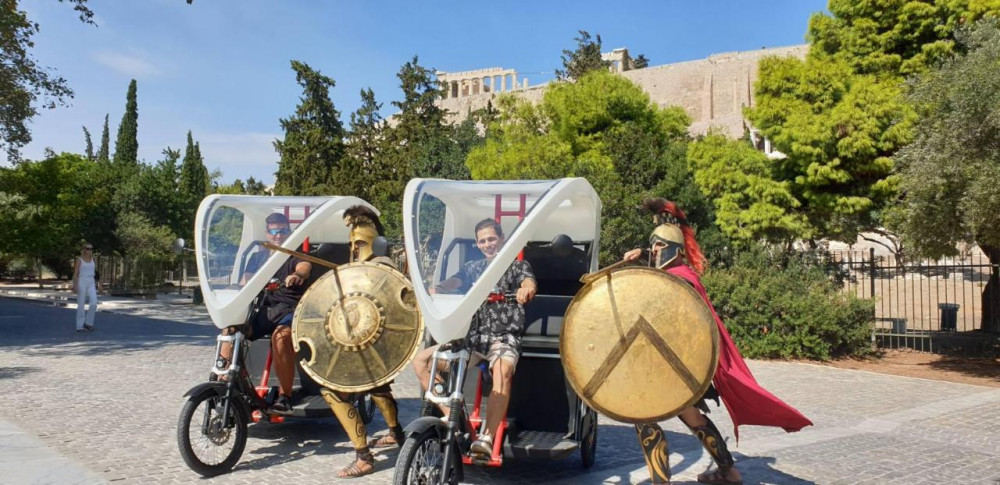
639	345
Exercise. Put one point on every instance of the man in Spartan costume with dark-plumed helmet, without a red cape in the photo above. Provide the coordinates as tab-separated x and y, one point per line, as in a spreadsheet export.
365	229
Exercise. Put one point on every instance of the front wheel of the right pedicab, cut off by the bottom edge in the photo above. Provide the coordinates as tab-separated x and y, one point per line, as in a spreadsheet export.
421	461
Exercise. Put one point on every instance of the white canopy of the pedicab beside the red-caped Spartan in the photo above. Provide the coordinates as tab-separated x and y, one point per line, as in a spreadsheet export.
439	222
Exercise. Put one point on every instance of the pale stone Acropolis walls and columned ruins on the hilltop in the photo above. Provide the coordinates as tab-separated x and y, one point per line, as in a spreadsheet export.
713	90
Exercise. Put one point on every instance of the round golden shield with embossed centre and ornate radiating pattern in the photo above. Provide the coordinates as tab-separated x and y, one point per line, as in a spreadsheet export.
357	327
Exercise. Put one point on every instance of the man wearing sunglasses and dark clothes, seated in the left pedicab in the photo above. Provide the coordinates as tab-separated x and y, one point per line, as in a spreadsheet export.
275	318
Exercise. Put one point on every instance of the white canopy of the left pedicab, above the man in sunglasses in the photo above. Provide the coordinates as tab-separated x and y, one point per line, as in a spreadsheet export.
230	229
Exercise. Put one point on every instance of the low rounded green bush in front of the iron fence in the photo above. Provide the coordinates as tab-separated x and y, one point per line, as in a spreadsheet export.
780	305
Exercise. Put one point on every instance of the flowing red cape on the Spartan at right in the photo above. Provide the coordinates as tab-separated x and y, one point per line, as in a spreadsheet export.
746	401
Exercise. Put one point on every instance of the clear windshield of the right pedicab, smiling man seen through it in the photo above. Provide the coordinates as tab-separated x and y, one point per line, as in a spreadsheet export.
451	255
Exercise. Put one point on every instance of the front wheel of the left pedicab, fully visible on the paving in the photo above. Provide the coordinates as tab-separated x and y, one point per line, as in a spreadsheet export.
208	447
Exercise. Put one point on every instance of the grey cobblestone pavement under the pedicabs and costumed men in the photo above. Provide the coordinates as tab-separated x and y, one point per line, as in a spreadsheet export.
102	407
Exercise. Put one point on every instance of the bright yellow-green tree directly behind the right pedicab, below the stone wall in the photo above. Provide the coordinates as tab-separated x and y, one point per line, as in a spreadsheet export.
605	128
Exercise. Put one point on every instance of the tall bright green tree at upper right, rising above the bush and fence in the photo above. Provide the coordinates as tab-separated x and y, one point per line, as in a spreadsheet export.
839	115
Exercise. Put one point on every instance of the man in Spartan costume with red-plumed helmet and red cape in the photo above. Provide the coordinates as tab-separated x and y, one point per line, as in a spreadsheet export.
673	249
